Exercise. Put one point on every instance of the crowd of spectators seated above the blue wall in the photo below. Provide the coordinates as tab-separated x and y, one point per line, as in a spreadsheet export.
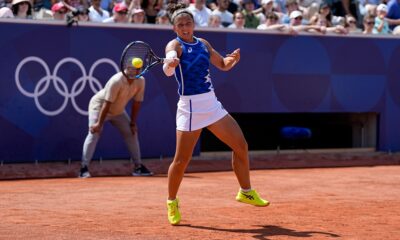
291	16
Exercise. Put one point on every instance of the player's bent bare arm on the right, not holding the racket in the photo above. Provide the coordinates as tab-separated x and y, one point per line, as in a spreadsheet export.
222	63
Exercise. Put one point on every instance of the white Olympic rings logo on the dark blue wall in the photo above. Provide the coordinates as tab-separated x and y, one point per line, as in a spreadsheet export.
59	84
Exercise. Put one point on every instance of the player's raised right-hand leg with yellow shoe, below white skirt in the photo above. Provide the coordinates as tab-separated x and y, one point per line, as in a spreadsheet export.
229	132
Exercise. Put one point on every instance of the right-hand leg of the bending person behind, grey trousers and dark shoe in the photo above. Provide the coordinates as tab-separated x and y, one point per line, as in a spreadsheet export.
121	122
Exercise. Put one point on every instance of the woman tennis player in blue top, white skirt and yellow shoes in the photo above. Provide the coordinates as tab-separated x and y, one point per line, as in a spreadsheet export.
199	108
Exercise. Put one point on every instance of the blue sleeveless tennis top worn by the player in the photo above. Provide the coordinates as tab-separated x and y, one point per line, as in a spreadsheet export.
193	73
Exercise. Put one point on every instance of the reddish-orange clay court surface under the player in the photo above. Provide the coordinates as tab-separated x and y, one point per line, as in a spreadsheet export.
313	203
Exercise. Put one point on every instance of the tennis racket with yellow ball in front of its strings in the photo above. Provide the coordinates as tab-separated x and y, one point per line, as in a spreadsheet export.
137	58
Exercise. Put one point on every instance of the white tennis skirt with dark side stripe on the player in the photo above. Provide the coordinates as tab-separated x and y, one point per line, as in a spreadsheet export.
198	111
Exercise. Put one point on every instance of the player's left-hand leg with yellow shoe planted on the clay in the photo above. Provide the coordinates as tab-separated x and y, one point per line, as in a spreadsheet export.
185	142
